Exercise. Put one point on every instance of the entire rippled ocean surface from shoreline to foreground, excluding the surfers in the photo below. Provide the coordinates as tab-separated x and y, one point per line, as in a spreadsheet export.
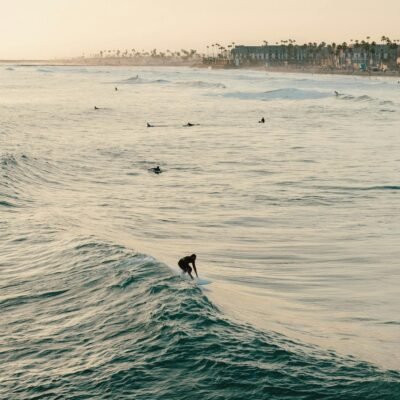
296	221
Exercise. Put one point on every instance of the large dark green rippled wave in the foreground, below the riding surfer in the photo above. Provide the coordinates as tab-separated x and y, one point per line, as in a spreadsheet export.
104	322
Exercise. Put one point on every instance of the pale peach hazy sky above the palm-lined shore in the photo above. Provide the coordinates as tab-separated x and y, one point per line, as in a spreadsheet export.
57	28
